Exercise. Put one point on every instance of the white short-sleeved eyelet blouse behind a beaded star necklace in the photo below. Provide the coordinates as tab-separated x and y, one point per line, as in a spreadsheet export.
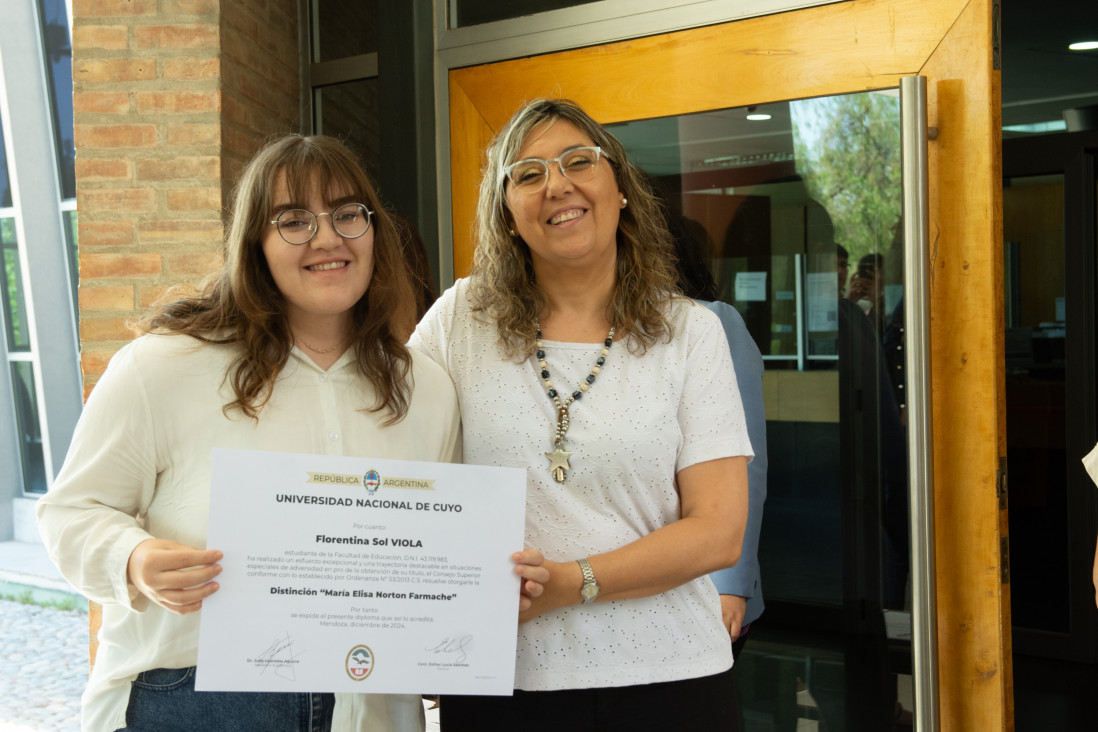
645	419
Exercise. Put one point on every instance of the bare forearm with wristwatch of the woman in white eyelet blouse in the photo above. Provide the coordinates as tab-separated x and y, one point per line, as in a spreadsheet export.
709	537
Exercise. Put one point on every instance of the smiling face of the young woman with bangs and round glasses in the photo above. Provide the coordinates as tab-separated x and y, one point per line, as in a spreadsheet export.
321	280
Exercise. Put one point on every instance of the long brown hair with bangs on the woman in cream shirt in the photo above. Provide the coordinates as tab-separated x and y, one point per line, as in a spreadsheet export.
243	306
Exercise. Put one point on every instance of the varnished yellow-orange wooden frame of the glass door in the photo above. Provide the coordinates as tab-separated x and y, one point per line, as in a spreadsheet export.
831	50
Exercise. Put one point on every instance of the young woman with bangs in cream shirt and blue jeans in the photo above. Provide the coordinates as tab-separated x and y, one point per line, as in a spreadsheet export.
298	345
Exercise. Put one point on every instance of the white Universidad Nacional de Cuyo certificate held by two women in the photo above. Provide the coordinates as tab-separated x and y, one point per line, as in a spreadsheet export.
362	576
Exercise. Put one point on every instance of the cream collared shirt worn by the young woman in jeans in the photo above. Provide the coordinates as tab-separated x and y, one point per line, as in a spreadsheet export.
139	468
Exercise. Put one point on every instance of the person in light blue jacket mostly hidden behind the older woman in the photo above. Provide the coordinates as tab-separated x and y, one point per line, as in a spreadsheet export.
741	588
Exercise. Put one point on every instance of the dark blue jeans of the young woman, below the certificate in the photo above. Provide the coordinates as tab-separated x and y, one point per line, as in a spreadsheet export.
165	701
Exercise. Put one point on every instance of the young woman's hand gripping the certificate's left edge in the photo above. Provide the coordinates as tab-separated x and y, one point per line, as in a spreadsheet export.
174	576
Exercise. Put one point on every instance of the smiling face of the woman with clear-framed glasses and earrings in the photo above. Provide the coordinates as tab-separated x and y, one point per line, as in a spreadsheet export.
566	223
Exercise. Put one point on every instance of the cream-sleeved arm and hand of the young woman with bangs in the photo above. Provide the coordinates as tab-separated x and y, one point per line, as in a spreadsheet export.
89	519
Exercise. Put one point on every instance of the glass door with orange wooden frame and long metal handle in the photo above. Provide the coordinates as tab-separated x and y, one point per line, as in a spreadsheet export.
770	204
